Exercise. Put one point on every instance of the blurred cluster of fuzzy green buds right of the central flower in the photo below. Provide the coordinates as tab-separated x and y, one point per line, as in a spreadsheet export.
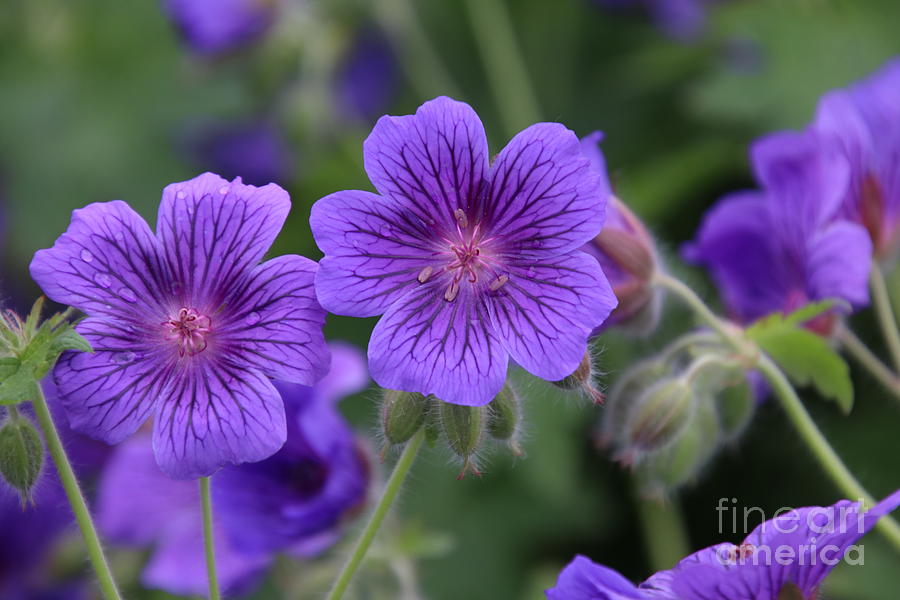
668	415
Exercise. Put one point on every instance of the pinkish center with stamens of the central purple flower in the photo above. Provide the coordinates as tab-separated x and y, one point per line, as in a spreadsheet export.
466	261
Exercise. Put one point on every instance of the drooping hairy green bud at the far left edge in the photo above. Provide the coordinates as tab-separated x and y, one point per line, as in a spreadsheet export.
21	455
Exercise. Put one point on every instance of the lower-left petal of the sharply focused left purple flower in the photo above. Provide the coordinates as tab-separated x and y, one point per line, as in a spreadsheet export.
109	394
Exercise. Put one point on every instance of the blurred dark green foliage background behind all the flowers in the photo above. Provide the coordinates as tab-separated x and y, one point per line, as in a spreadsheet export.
96	95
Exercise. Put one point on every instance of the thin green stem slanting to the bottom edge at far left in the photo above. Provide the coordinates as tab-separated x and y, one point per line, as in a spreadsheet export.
76	498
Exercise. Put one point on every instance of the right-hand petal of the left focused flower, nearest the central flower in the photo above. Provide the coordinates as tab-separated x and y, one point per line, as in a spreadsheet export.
275	322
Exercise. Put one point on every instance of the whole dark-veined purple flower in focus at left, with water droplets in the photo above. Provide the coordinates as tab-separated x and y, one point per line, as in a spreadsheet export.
186	324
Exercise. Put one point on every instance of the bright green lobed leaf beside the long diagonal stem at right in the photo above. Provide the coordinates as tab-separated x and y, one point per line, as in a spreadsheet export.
805	357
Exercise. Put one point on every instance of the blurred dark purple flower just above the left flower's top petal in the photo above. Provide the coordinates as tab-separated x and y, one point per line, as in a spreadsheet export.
255	151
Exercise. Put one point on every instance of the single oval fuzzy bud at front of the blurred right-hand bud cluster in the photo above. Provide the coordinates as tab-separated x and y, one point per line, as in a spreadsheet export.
660	415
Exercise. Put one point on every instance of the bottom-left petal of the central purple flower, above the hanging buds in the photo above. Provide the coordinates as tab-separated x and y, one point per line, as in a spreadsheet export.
426	344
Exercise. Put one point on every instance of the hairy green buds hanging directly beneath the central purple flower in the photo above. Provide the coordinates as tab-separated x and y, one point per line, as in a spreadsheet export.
466	430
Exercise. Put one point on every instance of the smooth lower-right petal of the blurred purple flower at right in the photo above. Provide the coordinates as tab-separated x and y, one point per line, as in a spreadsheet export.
839	263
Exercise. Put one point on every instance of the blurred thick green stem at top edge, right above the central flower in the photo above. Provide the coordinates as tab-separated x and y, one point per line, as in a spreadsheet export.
507	73
